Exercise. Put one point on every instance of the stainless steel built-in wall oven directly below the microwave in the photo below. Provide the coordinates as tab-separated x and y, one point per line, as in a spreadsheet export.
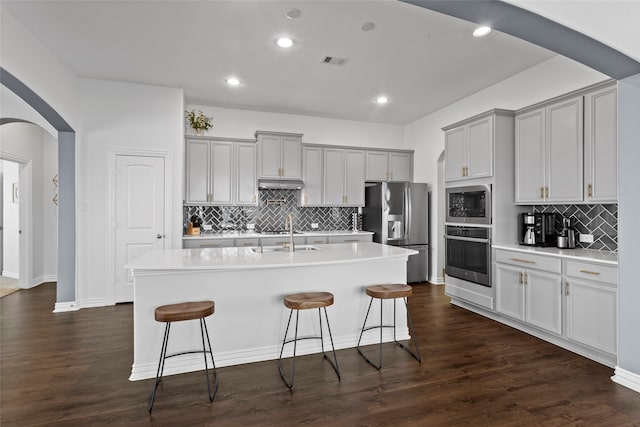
469	253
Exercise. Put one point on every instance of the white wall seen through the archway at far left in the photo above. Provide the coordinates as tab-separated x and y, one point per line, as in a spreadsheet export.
33	144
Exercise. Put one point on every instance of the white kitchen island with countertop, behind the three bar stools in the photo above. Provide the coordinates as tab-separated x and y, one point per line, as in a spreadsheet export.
248	286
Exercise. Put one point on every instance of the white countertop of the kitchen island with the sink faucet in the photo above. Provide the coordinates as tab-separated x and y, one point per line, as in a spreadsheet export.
247	258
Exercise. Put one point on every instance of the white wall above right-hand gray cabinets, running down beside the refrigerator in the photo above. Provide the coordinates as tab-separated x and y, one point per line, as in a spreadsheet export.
553	77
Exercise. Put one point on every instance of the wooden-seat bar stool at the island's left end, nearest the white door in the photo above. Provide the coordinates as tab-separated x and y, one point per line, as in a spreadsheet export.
177	313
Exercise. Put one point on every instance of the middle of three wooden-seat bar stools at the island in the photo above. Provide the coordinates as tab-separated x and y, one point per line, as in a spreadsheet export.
305	301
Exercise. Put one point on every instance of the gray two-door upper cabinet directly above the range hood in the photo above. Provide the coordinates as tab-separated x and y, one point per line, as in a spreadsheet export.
279	155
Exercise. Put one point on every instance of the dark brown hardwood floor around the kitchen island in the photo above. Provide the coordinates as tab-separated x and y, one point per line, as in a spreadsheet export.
73	368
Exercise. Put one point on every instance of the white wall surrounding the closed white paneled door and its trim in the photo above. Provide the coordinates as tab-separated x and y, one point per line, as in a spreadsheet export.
124	116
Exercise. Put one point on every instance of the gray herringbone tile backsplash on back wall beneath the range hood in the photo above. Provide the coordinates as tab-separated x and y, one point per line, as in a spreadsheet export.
273	207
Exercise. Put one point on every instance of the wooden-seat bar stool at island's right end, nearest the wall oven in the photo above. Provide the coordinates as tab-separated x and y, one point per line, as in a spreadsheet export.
383	292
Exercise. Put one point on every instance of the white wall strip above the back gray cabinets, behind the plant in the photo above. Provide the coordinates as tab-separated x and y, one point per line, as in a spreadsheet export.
234	123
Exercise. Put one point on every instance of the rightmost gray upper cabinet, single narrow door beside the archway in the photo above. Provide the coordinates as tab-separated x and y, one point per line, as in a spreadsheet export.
601	146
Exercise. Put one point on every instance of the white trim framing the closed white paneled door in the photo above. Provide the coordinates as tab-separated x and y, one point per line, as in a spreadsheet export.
114	153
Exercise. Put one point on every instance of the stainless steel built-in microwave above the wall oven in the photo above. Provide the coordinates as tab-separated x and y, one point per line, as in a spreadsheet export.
469	205
